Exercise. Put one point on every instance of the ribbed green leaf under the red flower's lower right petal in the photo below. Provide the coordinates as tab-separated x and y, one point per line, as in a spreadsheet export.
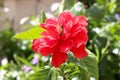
90	65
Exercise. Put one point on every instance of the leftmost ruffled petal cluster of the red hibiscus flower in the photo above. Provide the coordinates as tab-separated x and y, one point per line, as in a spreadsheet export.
43	46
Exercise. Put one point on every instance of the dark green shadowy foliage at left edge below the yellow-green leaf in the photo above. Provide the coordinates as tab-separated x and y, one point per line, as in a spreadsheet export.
10	47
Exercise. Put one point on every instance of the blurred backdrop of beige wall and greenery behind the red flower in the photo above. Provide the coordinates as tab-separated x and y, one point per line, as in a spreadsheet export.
16	56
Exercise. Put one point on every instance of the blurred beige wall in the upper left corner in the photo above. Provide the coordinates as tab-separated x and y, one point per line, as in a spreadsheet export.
14	10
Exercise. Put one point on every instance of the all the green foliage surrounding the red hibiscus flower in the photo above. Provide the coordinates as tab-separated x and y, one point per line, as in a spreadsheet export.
102	62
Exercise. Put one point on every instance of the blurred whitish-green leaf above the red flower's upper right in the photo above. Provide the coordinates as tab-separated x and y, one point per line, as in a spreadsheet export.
78	9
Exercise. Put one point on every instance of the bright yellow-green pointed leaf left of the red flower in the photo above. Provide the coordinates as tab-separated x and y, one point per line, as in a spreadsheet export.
32	33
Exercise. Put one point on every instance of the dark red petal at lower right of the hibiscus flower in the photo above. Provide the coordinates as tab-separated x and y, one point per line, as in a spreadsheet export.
80	52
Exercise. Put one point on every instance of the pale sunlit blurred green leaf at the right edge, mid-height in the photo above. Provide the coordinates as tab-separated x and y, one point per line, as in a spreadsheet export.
111	31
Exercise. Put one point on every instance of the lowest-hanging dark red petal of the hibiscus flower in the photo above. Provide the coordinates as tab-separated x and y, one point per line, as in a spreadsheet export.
58	58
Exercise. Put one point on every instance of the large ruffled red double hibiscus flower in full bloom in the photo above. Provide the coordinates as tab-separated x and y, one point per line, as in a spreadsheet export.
63	34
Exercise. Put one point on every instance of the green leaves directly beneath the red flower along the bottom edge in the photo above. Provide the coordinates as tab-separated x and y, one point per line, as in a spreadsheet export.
80	69
